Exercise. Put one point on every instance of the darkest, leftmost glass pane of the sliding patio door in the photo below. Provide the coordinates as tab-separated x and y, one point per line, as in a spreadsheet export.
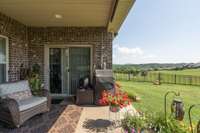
55	70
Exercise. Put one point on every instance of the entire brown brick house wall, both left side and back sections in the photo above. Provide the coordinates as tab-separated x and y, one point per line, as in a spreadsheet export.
26	44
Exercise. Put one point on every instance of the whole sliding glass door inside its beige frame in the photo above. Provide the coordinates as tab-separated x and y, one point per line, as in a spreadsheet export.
67	67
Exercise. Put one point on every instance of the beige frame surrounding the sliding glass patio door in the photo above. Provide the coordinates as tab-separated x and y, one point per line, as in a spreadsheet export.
46	63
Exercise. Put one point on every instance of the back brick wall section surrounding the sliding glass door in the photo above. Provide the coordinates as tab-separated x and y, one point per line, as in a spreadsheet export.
99	38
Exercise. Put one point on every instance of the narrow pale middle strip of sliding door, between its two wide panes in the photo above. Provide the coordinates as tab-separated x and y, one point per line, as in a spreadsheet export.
65	70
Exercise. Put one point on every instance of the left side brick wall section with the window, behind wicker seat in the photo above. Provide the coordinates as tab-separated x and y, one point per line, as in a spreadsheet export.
18	44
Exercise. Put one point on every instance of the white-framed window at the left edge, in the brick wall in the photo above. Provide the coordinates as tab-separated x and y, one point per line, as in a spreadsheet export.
3	59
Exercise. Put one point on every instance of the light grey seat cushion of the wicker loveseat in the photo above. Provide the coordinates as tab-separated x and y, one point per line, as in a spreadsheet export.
30	102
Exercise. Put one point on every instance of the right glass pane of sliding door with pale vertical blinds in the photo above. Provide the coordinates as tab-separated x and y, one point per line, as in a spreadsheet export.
79	64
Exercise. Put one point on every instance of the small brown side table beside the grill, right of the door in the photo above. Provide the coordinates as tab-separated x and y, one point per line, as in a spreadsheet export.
84	97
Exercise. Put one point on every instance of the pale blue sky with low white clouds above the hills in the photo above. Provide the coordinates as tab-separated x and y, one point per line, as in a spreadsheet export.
159	31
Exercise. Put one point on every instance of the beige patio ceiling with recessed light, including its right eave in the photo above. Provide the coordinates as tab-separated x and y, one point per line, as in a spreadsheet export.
77	13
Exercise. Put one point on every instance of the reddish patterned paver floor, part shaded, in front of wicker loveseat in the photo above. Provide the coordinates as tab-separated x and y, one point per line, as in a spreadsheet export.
62	118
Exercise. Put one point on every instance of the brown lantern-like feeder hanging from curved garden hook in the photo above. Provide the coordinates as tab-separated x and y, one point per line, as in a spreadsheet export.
177	109
